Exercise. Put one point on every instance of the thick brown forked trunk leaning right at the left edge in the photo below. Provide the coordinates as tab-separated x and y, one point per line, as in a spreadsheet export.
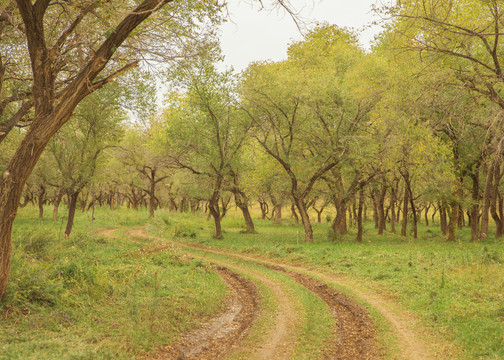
53	110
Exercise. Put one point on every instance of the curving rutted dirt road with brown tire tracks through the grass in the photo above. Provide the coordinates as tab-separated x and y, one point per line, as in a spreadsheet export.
354	334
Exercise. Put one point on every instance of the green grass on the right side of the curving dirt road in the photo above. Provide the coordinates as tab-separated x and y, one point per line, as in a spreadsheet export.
456	288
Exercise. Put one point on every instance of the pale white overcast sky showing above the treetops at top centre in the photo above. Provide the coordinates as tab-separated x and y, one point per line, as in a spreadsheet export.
254	34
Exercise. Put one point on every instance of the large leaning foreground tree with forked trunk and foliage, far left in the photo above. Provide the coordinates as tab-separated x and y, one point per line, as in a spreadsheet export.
74	50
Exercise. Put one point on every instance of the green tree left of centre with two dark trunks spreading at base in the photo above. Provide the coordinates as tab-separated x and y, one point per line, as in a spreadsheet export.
208	132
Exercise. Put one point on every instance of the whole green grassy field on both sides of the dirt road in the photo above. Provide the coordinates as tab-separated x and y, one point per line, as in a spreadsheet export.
98	297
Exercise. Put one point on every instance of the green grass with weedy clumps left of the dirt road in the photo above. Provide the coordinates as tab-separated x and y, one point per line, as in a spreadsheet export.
97	297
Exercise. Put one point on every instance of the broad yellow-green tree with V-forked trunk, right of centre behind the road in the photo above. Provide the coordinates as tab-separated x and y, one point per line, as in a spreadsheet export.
303	115
